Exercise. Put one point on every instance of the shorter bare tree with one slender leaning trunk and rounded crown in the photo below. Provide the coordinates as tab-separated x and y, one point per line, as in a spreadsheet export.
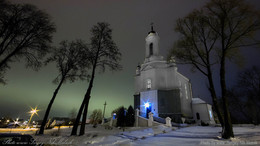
71	59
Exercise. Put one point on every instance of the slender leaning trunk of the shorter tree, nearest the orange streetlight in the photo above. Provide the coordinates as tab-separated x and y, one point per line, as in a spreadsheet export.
44	121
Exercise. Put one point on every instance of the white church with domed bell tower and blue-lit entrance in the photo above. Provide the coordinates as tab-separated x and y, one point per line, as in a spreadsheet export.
162	90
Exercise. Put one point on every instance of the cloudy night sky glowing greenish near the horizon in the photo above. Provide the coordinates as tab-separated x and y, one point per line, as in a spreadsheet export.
130	21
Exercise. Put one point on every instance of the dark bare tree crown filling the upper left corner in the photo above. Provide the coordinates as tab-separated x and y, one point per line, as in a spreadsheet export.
25	33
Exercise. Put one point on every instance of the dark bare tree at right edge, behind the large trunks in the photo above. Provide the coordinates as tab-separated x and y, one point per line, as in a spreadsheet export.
247	94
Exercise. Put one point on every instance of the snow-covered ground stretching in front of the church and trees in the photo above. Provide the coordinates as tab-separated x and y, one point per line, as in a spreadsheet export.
158	135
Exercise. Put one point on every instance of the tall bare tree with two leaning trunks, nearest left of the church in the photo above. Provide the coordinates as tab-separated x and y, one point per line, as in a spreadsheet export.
104	54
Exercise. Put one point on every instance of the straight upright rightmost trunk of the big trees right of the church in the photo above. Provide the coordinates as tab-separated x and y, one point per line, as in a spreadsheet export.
228	129
